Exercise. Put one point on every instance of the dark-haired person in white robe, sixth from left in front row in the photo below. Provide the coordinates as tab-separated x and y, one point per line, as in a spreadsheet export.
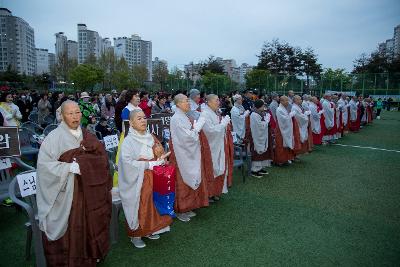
259	120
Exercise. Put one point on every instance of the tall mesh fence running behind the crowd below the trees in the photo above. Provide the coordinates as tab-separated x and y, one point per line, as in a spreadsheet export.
366	84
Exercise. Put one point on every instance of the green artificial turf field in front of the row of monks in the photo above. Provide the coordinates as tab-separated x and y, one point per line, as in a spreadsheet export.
339	206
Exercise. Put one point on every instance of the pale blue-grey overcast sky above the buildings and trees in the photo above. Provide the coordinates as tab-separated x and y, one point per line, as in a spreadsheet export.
184	31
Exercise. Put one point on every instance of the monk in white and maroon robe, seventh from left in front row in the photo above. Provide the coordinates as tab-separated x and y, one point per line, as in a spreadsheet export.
284	141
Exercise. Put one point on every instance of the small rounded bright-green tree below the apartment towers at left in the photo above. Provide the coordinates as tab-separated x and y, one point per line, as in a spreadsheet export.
85	76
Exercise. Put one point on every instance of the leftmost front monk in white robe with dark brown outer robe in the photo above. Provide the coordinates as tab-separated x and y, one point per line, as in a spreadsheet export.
73	193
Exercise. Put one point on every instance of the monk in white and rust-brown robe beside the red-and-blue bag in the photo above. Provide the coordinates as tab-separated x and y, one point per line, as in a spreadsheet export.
140	153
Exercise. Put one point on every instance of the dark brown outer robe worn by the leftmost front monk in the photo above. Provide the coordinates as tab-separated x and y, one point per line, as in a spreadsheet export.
87	236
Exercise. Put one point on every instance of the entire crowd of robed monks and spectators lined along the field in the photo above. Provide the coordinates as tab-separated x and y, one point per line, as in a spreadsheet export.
73	177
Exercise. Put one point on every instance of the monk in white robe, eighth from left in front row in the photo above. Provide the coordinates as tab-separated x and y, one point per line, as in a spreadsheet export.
301	118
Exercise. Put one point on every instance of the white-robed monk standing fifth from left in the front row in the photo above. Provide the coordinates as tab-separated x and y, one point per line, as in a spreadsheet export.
239	115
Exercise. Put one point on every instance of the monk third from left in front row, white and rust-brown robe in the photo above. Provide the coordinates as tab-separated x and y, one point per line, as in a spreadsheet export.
191	166
